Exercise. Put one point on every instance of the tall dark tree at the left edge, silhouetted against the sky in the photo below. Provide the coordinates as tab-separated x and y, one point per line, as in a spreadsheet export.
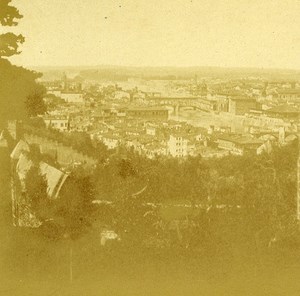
16	83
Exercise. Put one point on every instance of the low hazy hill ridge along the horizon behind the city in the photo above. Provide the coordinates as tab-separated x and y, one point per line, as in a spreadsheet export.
118	73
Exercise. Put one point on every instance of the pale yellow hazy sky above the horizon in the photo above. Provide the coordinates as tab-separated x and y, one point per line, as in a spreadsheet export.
240	33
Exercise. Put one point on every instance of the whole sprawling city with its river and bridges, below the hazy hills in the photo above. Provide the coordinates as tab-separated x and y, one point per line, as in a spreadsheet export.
145	117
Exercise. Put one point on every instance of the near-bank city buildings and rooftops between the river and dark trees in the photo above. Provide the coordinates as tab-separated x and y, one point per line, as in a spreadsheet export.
155	135
